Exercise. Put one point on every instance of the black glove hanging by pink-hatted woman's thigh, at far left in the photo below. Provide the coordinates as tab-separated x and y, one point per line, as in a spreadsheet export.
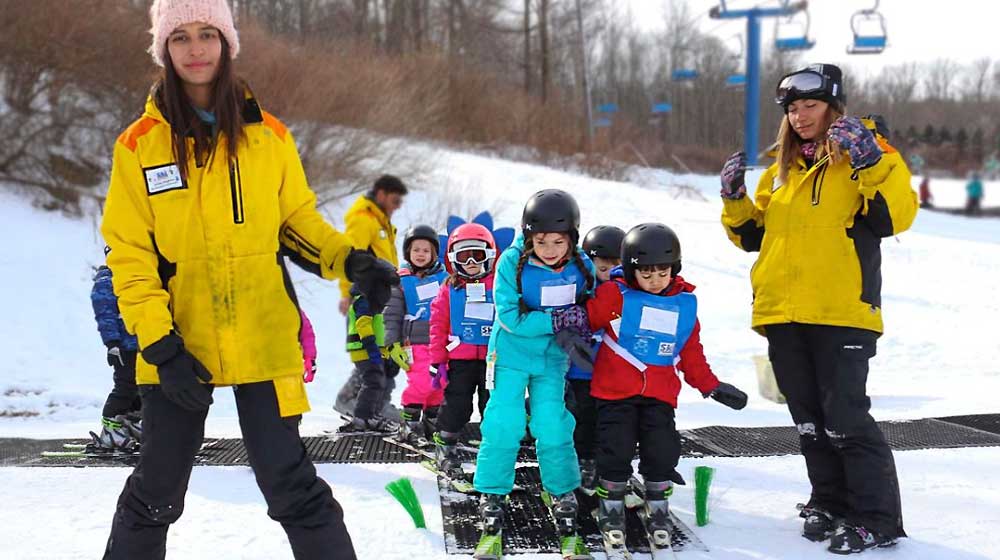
179	373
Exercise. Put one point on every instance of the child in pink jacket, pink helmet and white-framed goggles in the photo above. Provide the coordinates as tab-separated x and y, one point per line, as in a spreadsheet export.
461	323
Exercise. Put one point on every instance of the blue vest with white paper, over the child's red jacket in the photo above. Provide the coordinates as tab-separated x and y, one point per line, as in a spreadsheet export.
655	328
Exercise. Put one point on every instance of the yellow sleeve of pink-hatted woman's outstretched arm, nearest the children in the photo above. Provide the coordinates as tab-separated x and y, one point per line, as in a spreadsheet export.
304	231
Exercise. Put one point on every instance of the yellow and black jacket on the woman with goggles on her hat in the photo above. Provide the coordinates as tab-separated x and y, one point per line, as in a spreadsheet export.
819	237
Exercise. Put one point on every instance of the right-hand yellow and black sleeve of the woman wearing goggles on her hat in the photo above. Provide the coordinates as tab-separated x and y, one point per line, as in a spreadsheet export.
890	203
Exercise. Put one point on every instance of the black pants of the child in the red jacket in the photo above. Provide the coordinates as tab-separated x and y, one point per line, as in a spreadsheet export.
621	424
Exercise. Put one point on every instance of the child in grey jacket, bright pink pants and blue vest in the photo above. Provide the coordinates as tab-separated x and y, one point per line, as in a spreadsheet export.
407	332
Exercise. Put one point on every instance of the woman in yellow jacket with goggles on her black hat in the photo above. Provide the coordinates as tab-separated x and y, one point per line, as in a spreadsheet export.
818	217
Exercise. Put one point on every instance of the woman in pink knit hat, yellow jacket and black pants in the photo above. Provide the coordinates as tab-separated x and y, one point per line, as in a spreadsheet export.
207	194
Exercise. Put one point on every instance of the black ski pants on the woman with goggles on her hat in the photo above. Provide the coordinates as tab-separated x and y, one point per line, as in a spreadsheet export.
823	370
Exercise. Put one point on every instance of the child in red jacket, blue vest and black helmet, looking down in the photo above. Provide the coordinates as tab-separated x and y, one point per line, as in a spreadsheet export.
650	323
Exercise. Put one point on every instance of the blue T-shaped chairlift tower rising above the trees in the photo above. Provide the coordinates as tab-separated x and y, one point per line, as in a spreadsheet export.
752	88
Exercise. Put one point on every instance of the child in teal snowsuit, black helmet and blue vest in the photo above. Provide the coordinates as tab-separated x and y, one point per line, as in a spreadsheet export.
539	283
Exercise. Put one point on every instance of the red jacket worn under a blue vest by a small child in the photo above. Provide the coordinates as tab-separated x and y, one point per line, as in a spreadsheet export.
616	379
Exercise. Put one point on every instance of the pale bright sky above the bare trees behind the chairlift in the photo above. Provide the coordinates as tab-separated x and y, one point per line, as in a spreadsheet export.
919	30
